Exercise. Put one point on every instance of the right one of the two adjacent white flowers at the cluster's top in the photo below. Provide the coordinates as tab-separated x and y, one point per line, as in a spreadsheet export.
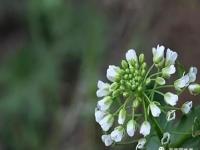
171	57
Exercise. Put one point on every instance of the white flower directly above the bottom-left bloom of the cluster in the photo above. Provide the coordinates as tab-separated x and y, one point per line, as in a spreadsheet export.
107	122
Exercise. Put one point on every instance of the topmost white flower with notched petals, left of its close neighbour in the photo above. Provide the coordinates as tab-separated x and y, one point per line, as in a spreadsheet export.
158	54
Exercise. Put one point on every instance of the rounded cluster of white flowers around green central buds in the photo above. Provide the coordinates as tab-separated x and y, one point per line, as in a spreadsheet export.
133	86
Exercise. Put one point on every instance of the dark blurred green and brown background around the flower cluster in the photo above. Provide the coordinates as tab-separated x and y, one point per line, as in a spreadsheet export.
52	52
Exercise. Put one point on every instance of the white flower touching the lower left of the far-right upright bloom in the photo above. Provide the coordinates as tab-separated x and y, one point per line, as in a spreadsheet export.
182	82
